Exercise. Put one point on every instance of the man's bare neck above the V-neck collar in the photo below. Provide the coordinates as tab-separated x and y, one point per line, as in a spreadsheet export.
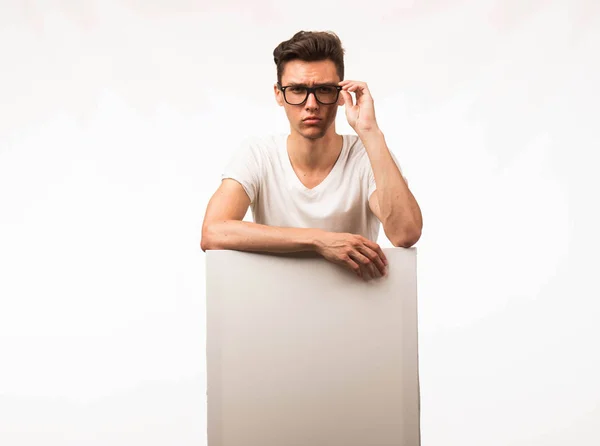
314	155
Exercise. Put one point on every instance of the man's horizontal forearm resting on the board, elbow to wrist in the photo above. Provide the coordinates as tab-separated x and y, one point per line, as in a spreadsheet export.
248	236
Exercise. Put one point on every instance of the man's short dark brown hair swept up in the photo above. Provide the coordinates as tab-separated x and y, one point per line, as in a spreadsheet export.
310	46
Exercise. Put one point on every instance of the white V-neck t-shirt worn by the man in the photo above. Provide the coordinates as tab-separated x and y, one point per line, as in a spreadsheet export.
340	203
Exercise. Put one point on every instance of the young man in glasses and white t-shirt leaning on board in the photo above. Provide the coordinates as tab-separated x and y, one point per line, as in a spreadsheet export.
315	190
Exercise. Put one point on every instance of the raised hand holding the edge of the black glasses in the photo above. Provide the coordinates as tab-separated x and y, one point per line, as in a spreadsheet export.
361	116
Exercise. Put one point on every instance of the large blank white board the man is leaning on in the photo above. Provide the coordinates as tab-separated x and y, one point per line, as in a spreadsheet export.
301	352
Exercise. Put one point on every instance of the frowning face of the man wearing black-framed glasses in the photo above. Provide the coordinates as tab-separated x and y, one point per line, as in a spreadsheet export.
309	74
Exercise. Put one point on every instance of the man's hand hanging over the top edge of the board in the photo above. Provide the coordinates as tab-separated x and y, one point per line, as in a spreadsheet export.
355	252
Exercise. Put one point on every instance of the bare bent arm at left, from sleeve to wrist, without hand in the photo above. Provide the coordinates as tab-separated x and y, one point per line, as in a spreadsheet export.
223	227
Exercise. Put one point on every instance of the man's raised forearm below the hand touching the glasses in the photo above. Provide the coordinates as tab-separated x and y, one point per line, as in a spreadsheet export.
400	213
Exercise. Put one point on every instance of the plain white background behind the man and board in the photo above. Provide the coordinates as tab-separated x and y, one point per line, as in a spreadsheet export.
116	118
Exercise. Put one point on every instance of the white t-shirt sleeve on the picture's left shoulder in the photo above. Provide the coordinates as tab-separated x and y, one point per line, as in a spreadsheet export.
244	167
